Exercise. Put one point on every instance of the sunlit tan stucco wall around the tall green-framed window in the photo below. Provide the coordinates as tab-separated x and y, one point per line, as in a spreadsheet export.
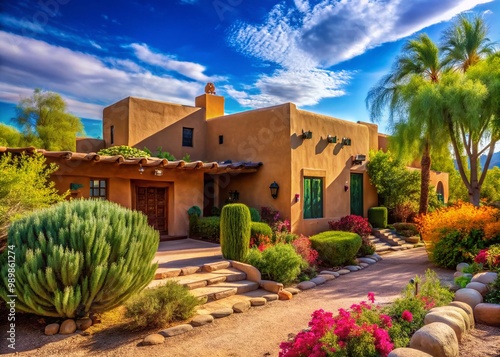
316	157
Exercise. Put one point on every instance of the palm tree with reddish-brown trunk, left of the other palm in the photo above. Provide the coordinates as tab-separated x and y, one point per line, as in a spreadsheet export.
419	58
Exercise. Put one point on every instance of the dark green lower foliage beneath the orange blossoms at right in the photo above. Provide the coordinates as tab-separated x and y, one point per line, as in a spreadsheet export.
456	247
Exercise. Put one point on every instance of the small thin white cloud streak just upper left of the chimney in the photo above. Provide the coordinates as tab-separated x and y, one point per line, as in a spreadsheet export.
188	69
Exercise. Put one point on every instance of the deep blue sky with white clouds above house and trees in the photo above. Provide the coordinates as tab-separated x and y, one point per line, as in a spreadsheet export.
322	55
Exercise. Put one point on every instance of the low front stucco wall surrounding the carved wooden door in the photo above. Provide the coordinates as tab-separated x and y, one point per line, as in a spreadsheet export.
185	186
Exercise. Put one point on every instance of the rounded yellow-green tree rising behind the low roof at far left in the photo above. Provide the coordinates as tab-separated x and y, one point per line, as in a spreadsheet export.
46	122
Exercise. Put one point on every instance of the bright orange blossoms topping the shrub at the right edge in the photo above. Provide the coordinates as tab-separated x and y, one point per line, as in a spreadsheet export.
462	217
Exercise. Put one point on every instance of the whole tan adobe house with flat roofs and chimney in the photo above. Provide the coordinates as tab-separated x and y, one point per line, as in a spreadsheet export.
318	162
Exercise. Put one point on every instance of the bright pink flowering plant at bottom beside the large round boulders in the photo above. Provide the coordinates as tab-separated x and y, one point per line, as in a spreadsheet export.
361	331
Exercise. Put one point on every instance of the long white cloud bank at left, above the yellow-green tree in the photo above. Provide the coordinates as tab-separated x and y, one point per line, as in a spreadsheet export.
27	63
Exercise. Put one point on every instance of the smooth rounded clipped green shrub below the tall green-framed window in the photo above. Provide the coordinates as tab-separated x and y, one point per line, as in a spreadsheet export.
335	247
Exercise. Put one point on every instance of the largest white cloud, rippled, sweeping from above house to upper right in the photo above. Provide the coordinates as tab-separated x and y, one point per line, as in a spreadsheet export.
309	40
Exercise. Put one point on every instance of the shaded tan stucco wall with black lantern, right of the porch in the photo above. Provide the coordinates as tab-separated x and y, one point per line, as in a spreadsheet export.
256	135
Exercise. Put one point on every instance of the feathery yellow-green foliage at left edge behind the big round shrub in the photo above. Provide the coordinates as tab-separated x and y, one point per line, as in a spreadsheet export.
25	186
